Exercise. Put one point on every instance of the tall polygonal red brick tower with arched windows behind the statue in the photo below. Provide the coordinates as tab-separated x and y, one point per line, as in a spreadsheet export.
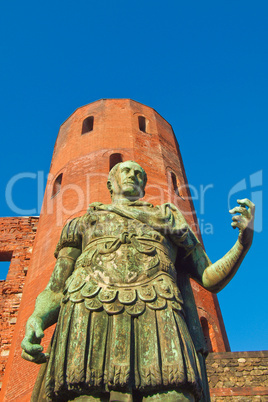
90	142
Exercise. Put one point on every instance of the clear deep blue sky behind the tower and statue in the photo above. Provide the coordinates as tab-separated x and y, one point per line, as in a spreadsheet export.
202	65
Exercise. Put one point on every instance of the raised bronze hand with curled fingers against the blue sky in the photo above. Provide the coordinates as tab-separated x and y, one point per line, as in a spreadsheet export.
244	222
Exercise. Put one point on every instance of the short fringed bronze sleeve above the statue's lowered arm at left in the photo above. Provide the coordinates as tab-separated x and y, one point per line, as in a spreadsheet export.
70	236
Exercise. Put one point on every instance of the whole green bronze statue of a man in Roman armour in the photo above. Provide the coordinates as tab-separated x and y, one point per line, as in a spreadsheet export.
127	326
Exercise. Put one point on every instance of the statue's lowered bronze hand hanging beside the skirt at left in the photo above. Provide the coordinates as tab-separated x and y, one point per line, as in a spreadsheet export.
32	350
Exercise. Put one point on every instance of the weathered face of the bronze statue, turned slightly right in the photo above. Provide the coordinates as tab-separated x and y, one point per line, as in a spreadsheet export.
129	180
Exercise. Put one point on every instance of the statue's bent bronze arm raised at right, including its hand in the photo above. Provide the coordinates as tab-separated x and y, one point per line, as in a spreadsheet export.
214	277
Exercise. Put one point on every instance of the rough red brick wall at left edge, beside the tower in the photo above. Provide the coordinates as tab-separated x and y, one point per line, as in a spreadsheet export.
16	244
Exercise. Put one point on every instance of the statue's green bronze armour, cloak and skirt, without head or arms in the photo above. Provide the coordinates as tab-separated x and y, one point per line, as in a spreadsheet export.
128	320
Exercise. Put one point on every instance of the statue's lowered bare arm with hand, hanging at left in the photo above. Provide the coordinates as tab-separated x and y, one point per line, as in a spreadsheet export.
47	306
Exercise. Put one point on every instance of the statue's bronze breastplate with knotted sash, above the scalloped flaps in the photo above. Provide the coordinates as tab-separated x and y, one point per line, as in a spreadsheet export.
118	250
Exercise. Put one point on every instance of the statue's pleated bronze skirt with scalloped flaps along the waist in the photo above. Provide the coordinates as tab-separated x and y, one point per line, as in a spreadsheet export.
122	339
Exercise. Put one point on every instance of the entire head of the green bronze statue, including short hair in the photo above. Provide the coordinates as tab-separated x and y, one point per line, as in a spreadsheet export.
127	180
